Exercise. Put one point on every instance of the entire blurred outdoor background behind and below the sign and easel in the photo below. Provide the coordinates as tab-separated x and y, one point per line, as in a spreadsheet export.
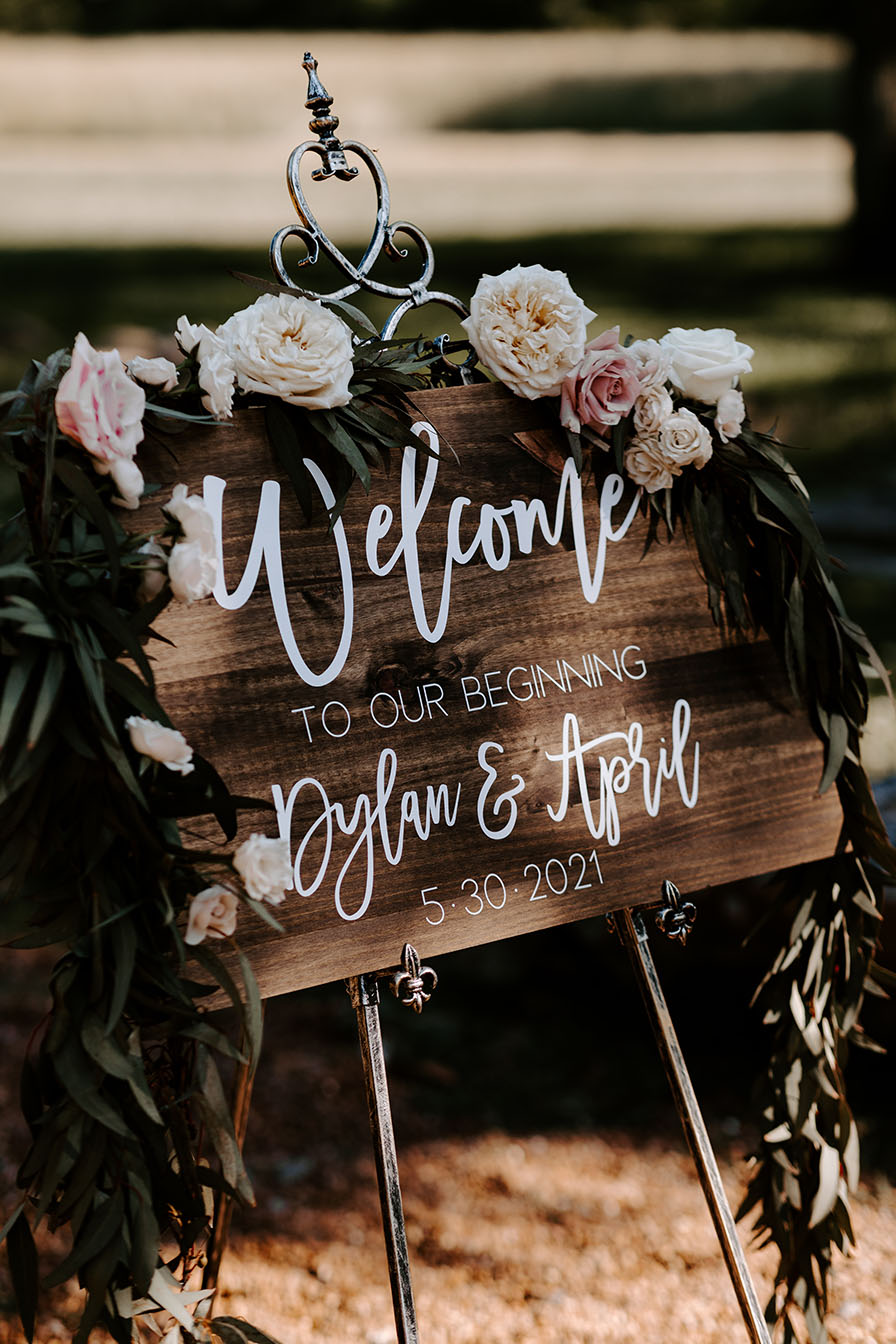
703	163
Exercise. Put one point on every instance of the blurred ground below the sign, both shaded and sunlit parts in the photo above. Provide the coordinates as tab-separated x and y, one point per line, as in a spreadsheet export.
521	1232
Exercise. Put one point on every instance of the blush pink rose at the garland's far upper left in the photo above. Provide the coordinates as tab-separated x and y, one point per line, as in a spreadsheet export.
100	407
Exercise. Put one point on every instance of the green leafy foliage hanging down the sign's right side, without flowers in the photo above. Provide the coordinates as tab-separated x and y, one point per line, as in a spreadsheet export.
768	571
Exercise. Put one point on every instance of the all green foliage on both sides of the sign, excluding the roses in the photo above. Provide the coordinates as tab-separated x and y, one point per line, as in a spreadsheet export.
131	1127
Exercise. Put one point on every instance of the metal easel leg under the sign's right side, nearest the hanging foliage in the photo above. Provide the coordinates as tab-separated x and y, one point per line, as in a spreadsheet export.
635	936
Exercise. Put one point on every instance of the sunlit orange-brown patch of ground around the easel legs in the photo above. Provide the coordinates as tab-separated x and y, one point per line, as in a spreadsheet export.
522	1241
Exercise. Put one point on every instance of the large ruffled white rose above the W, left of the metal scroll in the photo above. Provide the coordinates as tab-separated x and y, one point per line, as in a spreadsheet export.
294	349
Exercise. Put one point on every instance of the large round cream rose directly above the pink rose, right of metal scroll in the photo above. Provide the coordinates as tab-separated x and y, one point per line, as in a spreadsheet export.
529	327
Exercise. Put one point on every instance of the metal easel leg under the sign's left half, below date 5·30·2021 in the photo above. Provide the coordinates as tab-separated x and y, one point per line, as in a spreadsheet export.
365	995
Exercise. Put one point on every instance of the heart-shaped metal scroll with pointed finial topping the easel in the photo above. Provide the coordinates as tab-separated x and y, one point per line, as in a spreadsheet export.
332	153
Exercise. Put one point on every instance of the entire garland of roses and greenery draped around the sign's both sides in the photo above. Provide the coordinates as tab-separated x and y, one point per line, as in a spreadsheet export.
122	1089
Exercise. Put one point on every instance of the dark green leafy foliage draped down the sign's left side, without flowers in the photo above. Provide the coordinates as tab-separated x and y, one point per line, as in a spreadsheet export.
131	1128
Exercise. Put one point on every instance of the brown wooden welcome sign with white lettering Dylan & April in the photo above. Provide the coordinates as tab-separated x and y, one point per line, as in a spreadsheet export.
478	706
